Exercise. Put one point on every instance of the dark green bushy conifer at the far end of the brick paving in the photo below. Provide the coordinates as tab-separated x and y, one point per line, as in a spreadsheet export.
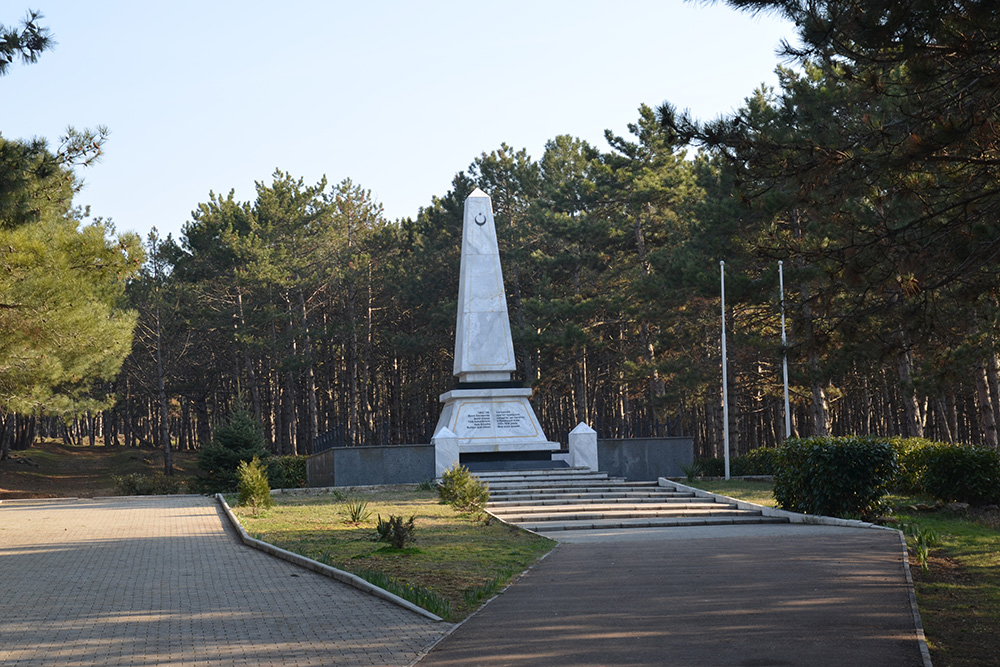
237	441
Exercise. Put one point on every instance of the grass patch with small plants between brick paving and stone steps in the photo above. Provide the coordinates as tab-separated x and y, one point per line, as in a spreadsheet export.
457	553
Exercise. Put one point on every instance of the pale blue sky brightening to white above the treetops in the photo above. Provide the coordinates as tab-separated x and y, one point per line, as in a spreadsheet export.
214	95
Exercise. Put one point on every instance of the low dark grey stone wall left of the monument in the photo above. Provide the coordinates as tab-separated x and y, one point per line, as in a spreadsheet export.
371	466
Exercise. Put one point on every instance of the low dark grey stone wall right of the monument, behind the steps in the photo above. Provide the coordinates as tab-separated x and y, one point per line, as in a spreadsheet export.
644	459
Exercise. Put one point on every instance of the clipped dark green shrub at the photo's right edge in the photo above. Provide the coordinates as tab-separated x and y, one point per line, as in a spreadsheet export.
961	473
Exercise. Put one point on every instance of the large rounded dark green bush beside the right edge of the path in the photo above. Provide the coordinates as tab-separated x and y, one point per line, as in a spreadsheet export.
844	477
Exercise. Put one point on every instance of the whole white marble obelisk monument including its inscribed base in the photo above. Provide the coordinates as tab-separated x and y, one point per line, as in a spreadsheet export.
486	413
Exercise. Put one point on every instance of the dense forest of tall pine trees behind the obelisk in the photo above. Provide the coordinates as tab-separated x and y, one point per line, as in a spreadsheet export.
871	174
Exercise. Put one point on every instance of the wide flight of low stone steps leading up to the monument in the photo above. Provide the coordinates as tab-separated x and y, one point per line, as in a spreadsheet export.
577	499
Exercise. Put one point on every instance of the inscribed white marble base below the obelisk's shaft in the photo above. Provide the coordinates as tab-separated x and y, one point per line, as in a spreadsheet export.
493	420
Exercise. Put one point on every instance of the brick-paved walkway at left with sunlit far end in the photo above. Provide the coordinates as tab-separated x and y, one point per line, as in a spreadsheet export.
160	581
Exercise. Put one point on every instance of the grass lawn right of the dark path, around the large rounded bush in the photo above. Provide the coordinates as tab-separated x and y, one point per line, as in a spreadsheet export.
959	591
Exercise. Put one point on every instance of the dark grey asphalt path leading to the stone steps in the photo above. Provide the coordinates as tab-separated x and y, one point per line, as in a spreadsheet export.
719	596
